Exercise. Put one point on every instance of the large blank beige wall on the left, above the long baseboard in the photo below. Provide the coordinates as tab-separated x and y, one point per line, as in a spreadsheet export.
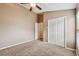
16	24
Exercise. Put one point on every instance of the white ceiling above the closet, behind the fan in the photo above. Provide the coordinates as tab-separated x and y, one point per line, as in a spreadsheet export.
52	7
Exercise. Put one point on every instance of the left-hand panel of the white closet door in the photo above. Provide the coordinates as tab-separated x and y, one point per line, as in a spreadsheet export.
52	31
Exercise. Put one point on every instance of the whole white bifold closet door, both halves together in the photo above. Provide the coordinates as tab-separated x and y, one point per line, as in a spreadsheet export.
56	31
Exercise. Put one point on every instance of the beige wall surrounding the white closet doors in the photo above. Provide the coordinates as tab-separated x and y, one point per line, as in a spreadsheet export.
69	25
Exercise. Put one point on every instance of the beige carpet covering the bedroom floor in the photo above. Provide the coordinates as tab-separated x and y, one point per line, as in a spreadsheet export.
36	48
